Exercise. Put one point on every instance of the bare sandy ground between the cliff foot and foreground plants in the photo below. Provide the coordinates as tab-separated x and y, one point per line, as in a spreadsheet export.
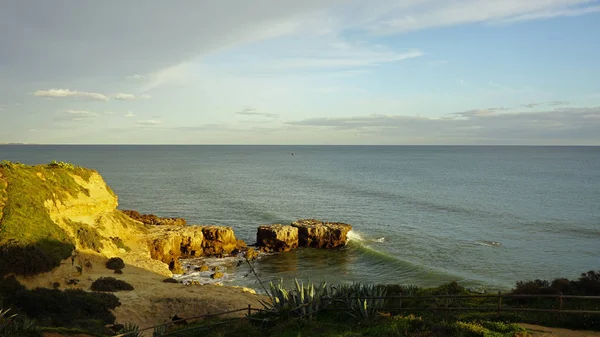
152	302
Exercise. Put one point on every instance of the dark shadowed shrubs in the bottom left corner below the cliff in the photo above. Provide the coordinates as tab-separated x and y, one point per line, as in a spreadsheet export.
55	308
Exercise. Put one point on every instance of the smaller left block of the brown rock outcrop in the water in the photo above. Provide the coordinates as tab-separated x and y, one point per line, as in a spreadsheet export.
277	238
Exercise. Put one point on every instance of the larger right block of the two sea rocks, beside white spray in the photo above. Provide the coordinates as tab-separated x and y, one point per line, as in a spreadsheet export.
318	234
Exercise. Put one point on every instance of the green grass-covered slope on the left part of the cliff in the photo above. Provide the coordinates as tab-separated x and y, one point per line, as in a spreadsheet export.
30	241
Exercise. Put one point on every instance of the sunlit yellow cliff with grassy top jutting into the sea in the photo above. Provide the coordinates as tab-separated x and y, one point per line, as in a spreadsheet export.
48	212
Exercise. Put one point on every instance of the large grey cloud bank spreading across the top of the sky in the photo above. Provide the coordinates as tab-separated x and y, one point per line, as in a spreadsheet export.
131	45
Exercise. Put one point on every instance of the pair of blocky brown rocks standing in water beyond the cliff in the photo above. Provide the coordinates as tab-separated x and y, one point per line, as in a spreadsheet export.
302	233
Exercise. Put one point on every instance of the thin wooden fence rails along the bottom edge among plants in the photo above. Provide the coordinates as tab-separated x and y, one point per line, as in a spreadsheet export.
499	308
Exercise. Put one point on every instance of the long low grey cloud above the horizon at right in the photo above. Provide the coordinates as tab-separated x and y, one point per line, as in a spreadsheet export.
478	125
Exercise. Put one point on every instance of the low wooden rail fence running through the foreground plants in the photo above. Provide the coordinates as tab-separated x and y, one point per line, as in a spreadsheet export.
498	307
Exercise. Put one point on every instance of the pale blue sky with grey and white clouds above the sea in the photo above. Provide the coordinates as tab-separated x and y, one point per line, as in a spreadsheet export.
472	72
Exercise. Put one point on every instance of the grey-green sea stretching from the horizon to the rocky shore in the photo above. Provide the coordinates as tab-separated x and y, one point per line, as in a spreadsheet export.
486	216
